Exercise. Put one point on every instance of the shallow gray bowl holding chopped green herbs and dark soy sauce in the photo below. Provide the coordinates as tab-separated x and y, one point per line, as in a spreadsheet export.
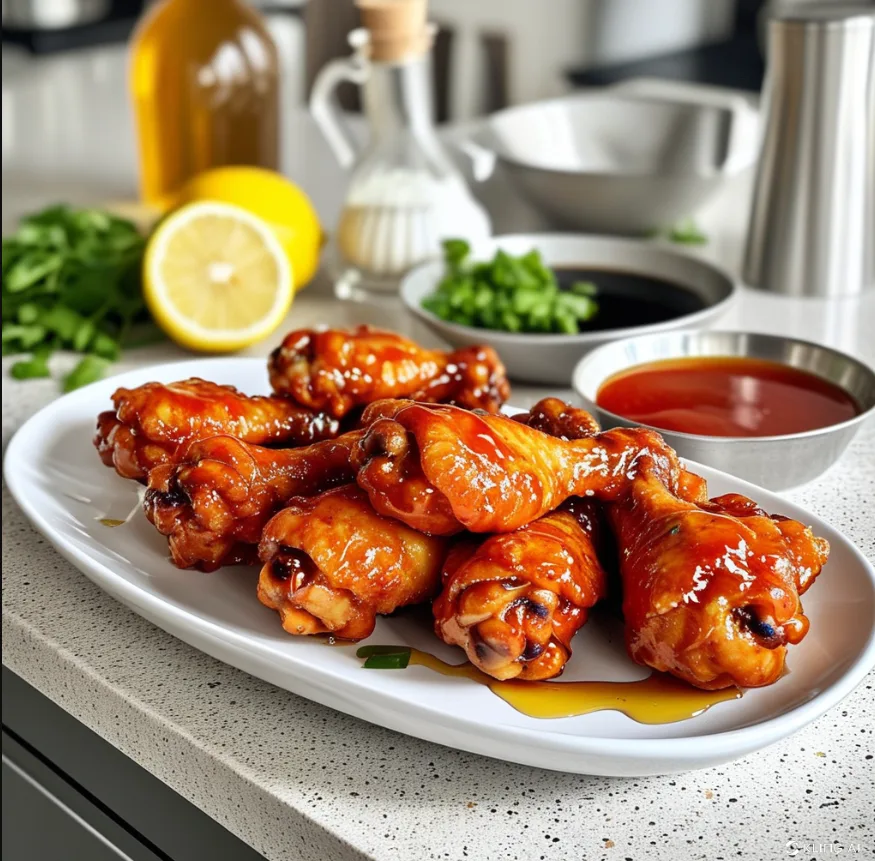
550	359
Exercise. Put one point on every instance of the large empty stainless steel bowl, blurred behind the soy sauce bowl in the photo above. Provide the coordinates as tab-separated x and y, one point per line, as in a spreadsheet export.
617	163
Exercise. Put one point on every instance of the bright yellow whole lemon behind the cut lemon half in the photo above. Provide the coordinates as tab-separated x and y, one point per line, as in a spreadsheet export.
272	198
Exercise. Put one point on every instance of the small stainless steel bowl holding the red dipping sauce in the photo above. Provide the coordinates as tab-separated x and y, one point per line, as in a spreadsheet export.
775	462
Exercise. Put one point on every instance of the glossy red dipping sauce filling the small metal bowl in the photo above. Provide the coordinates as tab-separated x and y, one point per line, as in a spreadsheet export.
725	396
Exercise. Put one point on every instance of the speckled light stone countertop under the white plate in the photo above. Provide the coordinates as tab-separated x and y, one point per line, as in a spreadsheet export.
299	781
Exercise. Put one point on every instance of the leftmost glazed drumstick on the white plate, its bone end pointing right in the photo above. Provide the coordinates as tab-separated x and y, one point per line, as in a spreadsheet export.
150	423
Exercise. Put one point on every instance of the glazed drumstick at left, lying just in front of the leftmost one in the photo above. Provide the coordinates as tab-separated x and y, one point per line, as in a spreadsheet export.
213	504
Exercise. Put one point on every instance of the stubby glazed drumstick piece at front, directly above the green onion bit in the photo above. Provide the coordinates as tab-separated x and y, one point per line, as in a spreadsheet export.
332	564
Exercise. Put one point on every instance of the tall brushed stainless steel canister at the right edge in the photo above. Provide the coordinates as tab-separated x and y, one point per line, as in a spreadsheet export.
812	226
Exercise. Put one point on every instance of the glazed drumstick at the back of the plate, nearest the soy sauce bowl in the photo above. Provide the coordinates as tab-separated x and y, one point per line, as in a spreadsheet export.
337	371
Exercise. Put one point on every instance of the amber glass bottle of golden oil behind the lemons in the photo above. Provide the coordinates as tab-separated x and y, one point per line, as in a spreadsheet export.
205	89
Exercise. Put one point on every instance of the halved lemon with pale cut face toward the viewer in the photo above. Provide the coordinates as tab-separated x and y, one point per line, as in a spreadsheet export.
216	278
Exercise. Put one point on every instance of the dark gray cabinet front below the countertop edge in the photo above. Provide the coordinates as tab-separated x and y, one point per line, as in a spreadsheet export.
69	795
